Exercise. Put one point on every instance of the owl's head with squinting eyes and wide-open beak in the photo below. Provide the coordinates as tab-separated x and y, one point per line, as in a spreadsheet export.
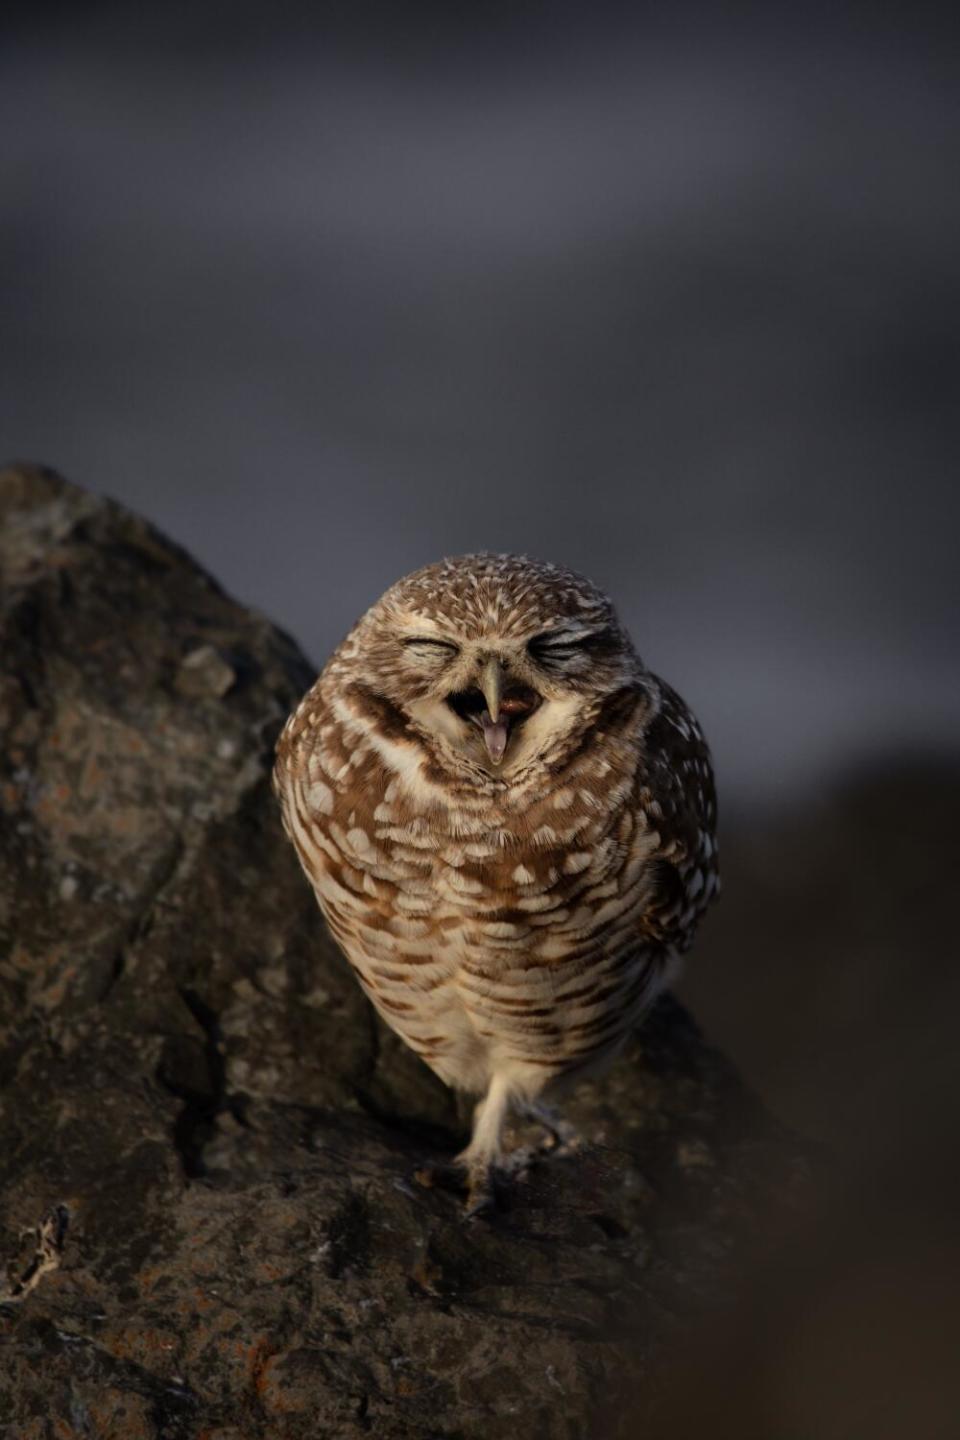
494	659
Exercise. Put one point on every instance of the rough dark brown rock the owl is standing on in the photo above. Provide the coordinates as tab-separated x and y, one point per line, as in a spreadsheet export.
208	1220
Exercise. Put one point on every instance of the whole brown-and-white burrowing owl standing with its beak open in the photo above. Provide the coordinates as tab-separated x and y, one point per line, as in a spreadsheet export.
509	823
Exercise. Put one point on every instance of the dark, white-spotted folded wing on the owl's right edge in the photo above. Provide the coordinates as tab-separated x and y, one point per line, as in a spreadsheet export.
677	794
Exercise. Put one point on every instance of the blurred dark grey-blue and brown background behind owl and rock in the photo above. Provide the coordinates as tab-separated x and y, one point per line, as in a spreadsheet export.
670	296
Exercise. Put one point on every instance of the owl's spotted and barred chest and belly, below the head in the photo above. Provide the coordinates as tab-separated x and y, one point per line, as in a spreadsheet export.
525	925
